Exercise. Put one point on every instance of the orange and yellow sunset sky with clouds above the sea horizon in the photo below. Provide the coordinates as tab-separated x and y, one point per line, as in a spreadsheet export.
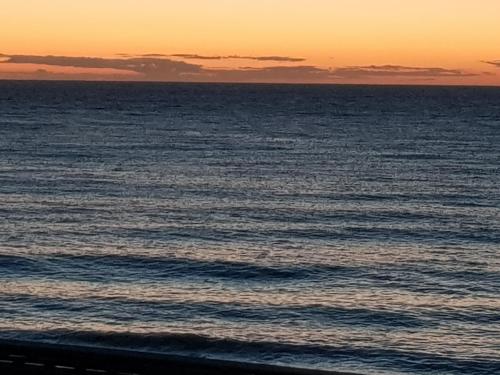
291	41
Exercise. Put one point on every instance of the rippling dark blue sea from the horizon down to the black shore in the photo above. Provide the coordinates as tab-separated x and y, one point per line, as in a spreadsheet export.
334	227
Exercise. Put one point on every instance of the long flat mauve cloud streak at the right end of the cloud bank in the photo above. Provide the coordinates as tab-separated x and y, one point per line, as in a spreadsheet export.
370	71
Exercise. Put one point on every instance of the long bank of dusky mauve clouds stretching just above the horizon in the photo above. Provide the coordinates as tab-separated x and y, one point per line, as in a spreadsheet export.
155	67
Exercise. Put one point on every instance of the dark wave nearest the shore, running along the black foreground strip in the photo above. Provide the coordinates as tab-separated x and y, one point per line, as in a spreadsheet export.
326	356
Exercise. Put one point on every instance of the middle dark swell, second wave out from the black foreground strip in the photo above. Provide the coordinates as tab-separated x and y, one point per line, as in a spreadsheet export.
167	310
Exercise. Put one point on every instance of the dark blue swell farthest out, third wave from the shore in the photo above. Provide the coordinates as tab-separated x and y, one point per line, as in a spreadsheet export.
433	278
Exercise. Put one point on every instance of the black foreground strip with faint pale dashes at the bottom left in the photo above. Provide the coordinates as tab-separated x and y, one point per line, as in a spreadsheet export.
17	357
